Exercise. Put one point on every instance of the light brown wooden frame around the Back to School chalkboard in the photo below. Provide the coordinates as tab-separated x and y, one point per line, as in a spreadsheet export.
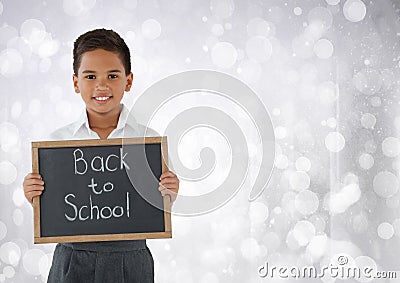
101	237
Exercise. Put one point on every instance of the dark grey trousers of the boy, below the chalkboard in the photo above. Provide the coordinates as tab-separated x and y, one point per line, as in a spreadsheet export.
102	262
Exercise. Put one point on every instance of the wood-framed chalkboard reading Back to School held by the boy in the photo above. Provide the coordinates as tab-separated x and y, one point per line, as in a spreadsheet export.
101	190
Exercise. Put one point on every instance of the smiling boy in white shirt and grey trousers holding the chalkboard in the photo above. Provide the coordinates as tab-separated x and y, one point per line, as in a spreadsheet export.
102	73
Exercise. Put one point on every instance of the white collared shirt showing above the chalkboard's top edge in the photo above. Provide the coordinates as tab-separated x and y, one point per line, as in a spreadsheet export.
127	127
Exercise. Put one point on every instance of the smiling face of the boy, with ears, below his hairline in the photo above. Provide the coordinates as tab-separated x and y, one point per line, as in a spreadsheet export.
101	81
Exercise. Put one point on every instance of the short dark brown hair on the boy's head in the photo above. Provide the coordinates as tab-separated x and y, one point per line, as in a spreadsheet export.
101	39
